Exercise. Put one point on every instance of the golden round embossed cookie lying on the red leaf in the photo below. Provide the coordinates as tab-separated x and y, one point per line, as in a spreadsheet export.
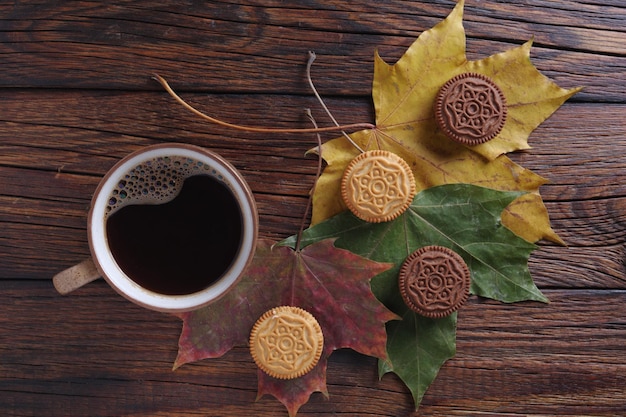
286	342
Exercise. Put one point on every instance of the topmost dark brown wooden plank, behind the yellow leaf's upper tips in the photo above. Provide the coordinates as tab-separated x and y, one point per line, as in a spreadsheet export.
114	46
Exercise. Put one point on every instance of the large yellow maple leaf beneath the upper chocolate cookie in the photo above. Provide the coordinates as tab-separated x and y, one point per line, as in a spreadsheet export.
404	96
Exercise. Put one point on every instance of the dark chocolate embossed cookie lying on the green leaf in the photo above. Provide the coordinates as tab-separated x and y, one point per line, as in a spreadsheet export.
434	281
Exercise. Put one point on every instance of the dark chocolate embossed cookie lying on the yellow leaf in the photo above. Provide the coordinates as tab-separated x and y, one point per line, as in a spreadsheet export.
470	109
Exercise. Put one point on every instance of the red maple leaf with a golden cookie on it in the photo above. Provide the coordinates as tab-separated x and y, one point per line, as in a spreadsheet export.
330	283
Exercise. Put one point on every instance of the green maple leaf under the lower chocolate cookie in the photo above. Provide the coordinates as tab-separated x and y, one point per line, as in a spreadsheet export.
462	217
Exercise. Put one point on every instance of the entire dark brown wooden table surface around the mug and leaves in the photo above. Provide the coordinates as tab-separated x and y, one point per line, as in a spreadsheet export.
76	96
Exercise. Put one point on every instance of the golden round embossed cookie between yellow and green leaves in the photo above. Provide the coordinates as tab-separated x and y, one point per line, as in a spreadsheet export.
378	186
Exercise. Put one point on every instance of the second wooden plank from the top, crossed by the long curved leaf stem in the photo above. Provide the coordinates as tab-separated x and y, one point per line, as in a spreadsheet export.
87	132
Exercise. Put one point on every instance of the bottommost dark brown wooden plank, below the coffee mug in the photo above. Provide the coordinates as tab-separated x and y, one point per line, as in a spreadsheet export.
100	355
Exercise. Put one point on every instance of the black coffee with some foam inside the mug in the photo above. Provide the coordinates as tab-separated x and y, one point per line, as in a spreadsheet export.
181	245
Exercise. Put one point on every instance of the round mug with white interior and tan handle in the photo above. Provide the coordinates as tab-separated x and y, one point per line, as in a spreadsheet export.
134	178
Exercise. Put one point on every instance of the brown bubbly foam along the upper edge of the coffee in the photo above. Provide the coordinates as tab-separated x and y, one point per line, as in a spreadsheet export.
156	181
